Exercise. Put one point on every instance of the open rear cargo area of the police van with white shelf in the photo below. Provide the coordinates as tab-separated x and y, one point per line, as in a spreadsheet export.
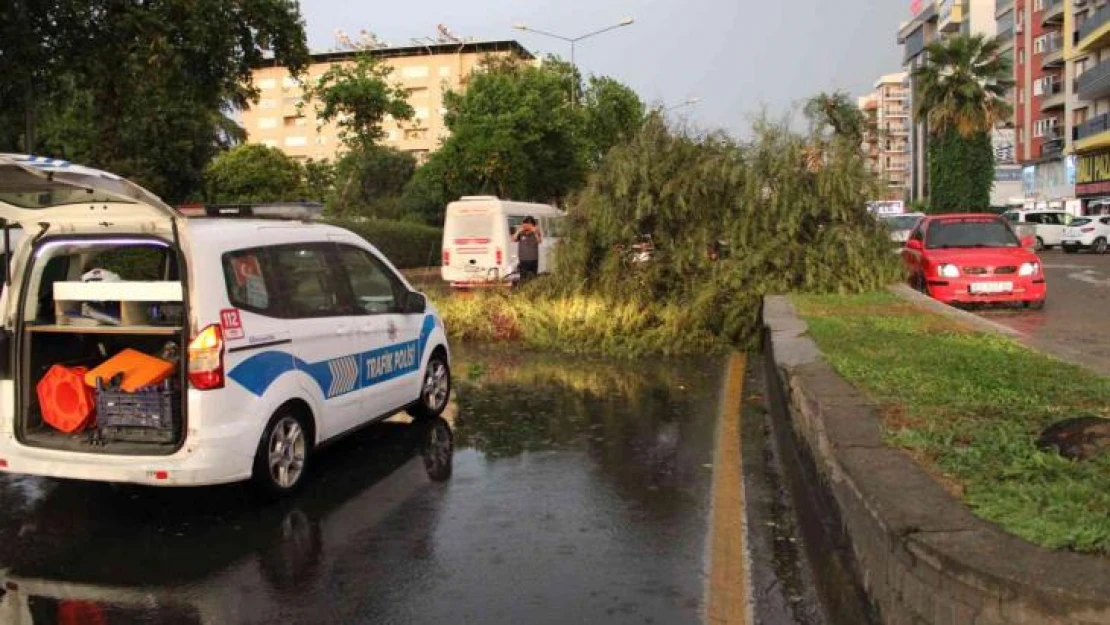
74	316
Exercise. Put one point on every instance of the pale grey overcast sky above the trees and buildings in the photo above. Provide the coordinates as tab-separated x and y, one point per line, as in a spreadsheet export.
736	56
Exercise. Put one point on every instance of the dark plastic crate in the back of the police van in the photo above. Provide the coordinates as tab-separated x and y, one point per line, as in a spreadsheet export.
149	415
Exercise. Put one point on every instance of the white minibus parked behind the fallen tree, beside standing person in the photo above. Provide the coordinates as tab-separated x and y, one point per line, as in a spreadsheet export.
478	239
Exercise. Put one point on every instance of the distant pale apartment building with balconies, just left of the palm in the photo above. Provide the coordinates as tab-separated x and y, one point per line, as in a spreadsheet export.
886	140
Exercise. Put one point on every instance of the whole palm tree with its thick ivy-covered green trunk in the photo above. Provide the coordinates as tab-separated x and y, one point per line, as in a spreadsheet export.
963	95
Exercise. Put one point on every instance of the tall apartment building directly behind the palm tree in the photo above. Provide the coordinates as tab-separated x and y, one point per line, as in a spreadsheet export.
933	21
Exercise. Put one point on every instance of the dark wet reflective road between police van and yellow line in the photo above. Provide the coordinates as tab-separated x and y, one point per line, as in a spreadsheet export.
580	495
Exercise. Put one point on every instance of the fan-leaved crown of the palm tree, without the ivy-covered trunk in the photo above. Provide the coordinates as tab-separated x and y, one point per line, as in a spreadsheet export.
963	86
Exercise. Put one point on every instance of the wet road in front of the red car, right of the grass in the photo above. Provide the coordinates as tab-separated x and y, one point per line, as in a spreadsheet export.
1075	321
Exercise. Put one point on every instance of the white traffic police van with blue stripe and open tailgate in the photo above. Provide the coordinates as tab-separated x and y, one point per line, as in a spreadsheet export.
286	335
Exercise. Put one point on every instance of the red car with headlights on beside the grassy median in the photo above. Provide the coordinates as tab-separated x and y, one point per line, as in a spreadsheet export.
971	259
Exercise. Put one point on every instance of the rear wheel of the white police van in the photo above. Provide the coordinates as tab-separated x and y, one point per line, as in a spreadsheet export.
281	462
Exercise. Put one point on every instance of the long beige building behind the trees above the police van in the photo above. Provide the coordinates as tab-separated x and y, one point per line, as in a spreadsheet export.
426	72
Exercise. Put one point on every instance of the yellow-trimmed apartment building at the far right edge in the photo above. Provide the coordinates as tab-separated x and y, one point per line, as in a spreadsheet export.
1088	51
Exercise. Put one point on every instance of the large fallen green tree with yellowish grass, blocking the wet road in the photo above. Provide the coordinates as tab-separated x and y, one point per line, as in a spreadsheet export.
730	224
